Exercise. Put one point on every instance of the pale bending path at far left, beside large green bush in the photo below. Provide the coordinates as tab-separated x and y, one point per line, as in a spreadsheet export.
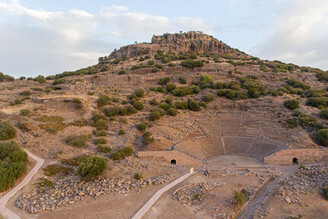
6	213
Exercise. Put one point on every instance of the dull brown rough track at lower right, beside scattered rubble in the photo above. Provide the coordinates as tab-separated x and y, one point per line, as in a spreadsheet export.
266	192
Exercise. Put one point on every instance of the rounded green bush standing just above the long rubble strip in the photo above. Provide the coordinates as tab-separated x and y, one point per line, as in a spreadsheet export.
92	166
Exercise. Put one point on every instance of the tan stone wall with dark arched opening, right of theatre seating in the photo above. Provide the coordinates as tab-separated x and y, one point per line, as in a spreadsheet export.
303	156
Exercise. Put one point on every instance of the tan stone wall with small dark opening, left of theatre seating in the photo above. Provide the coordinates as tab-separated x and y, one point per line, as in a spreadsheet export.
180	158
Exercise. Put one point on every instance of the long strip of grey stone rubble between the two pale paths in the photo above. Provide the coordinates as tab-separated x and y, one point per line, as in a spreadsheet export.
72	189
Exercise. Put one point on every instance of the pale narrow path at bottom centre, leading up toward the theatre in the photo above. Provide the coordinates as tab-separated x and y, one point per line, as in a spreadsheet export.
143	210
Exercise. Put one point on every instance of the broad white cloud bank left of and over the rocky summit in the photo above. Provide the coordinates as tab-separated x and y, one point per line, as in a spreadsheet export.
48	42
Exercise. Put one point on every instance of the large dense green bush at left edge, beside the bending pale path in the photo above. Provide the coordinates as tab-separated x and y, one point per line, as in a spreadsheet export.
12	164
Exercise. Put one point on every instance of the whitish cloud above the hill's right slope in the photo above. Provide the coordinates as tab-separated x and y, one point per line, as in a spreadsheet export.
299	35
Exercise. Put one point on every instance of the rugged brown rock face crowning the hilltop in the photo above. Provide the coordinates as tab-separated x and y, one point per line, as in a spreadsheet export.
180	42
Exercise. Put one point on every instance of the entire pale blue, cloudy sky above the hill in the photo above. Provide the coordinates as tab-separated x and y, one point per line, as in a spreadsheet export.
48	37
